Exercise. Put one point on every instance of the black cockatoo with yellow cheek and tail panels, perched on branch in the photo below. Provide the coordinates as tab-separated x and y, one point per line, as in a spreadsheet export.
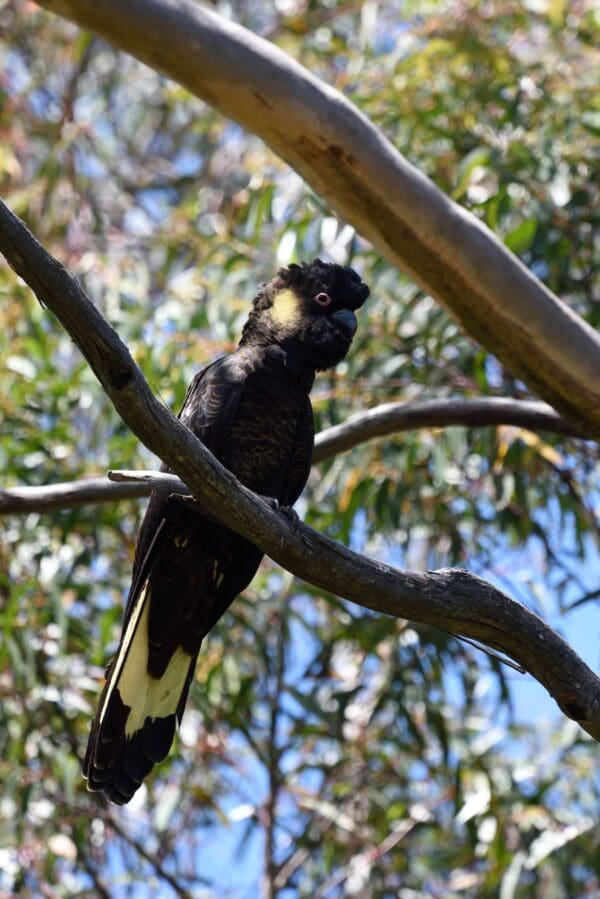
252	410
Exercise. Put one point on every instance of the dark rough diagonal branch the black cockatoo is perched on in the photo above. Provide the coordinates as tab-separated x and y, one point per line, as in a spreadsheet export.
453	600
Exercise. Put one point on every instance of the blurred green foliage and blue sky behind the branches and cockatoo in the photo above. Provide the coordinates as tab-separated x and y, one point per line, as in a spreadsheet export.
326	751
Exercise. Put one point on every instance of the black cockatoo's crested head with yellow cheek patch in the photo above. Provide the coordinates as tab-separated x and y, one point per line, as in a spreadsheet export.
308	311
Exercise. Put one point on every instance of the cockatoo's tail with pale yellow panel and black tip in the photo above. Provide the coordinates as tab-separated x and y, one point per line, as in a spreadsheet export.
135	723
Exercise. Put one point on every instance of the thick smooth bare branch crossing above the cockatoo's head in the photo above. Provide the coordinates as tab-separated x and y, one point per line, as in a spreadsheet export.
349	162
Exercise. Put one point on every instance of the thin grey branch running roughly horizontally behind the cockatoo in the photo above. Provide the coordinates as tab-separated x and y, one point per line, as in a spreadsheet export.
384	420
